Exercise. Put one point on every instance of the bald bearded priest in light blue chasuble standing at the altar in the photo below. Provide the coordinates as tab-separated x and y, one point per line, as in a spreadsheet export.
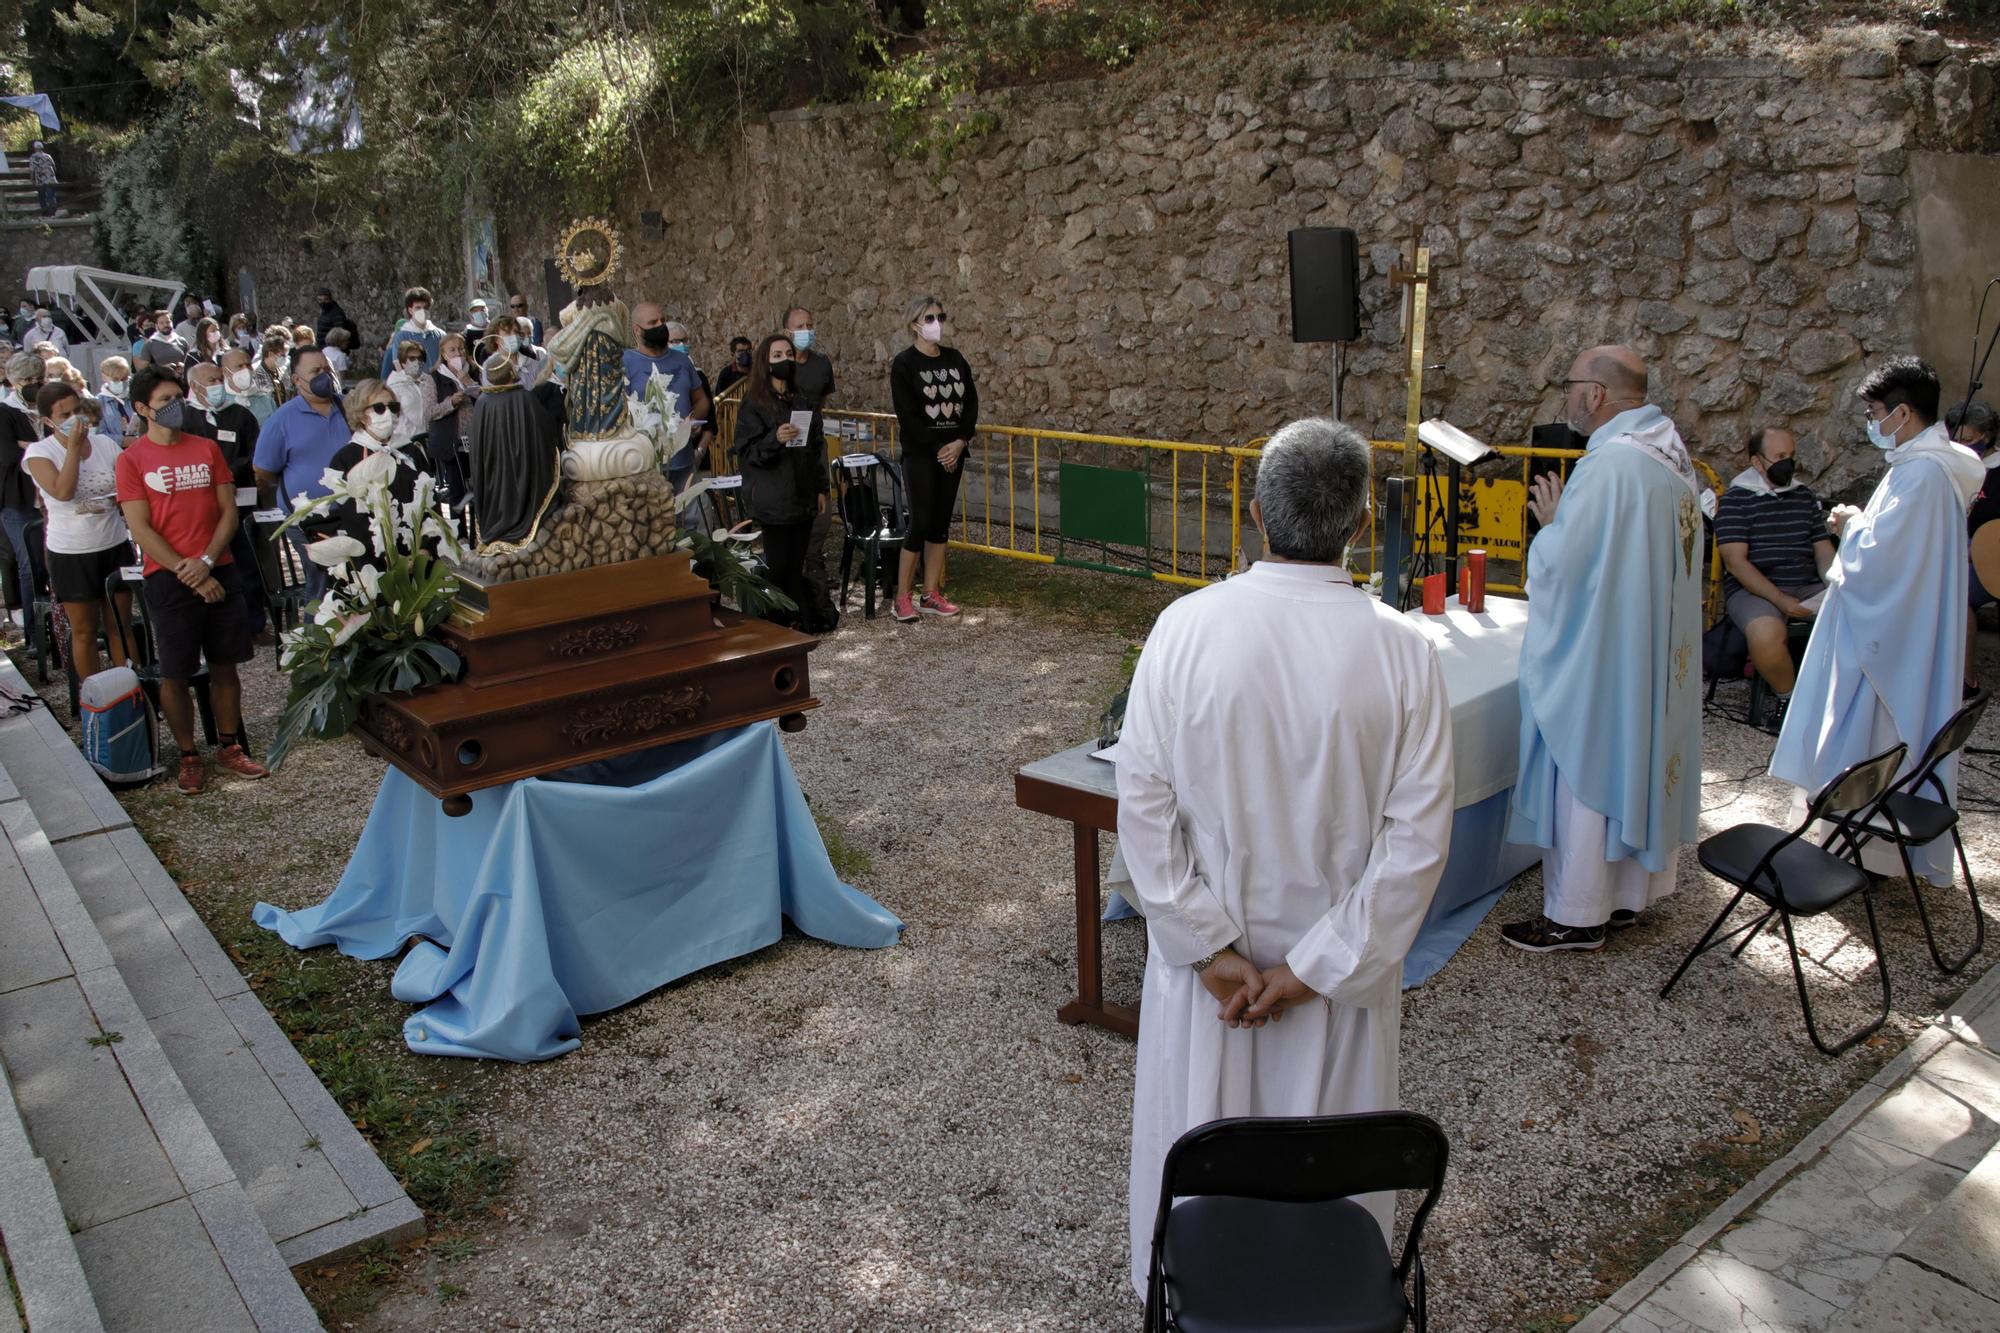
1611	712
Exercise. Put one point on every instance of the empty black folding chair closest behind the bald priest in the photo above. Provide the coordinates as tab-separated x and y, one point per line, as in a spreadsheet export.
1795	878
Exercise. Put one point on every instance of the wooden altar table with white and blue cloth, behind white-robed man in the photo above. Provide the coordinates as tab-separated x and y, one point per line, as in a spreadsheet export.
1481	659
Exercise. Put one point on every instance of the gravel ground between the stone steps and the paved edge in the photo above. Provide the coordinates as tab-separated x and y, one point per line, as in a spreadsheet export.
819	1138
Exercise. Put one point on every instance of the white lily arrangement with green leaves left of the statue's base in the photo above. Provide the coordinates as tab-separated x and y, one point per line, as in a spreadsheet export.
373	633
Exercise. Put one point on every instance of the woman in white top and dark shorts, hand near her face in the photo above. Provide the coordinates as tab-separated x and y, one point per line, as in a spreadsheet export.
85	537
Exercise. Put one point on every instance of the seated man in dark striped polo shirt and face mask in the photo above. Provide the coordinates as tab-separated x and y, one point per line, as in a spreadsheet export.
1775	555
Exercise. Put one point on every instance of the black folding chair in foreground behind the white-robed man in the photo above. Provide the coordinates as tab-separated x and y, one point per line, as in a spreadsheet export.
1269	1234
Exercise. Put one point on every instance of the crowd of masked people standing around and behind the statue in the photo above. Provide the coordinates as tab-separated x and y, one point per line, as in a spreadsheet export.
261	413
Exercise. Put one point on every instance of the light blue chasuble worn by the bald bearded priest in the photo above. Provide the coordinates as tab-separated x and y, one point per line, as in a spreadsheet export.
1611	665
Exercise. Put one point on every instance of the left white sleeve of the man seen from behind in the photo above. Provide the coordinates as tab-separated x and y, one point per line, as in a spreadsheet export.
1183	912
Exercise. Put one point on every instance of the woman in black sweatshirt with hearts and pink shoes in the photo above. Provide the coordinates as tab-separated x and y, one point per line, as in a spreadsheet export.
937	415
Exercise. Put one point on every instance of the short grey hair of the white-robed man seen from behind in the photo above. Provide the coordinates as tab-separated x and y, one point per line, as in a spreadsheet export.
1313	489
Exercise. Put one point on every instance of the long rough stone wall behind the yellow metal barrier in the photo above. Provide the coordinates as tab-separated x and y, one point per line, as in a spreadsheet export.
1115	253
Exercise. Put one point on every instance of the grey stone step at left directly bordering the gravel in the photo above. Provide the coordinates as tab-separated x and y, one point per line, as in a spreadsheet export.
315	1182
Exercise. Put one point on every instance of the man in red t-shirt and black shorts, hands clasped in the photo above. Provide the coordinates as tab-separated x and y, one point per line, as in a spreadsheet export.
181	503
